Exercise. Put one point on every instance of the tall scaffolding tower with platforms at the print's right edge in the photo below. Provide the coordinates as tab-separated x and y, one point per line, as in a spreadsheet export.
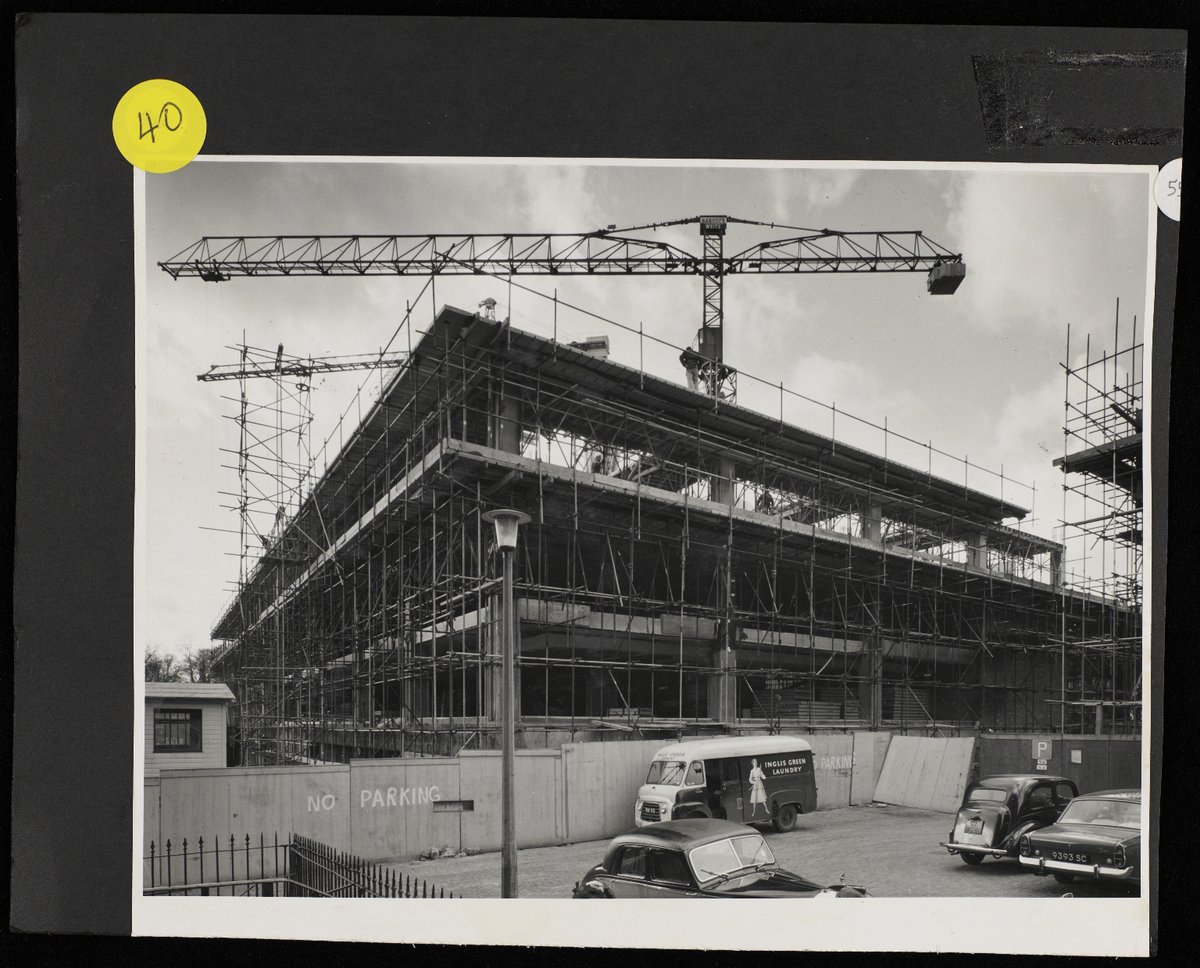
1102	520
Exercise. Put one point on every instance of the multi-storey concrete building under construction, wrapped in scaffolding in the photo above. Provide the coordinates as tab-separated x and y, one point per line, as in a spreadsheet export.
692	566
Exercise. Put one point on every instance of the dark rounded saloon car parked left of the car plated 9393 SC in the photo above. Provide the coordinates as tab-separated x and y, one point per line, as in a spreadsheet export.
998	811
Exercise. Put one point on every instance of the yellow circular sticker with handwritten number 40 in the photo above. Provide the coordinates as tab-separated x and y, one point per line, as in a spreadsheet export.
159	127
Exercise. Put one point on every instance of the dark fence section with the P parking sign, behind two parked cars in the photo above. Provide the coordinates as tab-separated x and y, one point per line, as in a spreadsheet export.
1093	762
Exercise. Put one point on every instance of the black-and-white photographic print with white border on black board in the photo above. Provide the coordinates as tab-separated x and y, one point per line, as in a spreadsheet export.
611	530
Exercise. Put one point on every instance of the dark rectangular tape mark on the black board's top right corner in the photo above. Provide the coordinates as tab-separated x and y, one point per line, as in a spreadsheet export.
1039	99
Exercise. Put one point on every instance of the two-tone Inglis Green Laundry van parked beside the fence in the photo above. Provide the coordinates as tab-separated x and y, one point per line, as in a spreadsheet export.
743	779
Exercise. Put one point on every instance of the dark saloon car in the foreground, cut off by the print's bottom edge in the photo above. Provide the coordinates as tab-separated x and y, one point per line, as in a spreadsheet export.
699	858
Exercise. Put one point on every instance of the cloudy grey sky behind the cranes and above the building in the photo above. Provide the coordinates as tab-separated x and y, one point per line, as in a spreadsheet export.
977	374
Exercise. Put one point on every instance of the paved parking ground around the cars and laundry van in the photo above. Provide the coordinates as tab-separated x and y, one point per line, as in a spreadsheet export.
892	851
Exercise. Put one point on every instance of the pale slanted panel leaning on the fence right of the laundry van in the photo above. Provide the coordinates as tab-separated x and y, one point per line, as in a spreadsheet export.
926	772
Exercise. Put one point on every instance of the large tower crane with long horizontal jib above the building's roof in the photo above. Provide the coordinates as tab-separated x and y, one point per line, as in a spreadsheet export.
609	251
